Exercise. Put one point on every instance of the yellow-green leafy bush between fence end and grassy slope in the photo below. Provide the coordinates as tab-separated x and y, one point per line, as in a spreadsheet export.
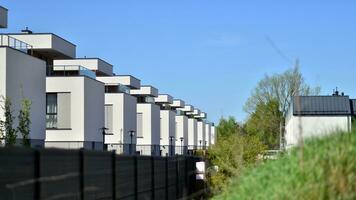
234	151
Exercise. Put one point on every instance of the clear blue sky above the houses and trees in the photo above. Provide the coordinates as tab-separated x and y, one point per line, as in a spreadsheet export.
210	53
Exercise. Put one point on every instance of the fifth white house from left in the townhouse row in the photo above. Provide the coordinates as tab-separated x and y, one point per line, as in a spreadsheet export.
168	124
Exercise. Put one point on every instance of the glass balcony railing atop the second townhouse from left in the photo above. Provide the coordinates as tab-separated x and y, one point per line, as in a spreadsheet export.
69	70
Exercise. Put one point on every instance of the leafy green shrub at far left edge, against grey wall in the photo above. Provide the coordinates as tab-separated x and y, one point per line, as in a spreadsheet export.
7	125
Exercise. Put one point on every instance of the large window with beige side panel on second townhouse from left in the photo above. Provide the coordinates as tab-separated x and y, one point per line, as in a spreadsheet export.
58	111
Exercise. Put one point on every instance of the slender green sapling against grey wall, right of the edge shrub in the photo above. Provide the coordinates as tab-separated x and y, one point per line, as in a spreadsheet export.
25	121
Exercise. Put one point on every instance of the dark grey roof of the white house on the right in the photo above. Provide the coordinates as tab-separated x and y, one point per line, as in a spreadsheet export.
322	105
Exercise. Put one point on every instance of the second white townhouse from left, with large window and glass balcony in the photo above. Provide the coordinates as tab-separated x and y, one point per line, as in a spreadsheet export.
74	82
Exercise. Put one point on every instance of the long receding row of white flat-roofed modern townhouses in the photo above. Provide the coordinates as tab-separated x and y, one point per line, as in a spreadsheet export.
81	103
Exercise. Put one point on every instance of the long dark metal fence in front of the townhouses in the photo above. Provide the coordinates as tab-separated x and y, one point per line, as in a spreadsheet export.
55	174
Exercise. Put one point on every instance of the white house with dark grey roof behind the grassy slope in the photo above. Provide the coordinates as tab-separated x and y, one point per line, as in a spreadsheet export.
316	116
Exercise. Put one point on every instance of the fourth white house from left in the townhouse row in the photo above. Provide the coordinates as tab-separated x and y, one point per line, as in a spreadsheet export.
148	121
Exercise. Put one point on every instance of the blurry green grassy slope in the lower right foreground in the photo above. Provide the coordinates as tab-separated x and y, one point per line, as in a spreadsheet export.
326	169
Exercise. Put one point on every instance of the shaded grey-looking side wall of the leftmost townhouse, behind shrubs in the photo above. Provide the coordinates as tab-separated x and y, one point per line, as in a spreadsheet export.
24	76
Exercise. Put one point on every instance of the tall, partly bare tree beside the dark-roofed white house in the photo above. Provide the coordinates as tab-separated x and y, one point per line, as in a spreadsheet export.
277	89
